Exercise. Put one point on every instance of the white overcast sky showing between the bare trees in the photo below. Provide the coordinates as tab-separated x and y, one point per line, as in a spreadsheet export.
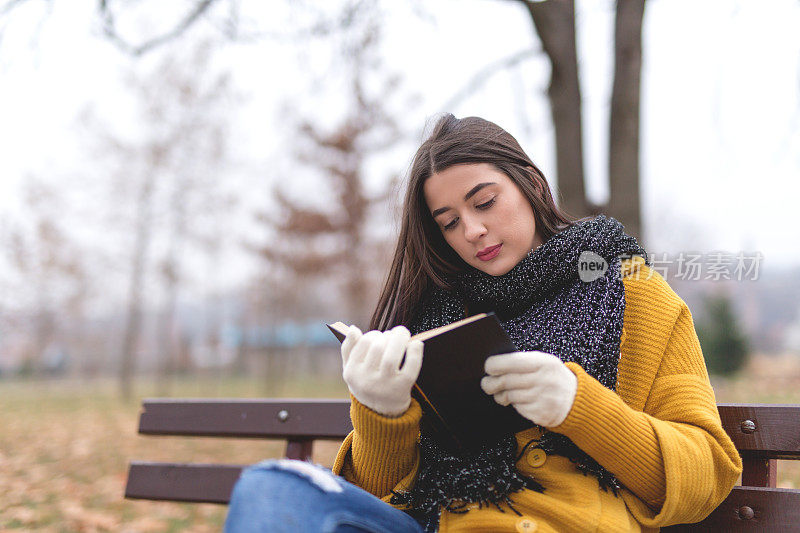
720	102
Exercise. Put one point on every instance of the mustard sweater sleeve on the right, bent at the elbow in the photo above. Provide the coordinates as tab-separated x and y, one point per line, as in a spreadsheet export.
674	458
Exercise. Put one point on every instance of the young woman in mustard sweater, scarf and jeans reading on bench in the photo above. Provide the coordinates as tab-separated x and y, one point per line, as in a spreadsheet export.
625	434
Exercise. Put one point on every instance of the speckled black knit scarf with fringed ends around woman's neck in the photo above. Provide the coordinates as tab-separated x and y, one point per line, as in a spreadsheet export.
544	305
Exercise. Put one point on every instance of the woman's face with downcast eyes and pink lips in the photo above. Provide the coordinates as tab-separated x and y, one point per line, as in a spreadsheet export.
483	216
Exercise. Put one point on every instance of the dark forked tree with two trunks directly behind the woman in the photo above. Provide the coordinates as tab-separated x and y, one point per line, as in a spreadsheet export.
554	21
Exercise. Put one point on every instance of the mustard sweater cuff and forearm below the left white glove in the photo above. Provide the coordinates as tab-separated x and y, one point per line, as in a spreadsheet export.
381	453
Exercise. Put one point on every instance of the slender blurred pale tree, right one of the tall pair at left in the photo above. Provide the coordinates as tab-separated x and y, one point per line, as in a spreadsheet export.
198	150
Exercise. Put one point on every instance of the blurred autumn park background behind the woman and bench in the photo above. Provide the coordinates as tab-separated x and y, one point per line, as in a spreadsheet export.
190	190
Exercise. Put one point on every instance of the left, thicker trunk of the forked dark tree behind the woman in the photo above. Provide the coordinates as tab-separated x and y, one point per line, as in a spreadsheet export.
554	21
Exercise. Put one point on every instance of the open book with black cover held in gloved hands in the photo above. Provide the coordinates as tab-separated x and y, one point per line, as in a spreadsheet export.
448	387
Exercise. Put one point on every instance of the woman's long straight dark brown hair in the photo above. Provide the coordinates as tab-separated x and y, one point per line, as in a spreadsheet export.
423	258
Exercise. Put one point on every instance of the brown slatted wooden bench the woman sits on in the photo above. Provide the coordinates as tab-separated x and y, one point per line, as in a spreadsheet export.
761	433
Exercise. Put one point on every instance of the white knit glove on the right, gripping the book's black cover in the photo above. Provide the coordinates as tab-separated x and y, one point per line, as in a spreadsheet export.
539	386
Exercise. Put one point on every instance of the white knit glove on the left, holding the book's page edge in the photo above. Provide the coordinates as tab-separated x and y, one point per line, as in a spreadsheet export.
371	368
